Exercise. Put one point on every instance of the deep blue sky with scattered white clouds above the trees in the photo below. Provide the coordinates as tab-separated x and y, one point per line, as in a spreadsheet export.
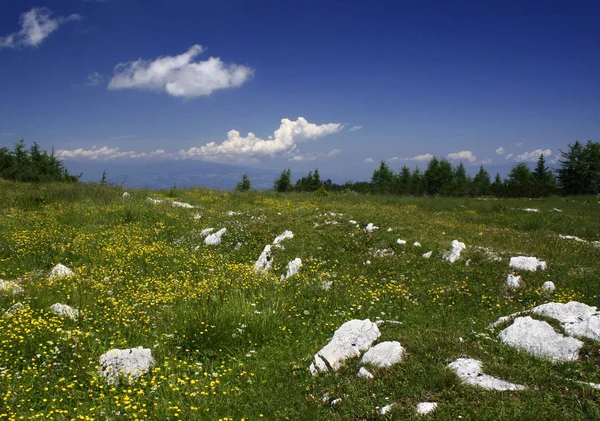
337	85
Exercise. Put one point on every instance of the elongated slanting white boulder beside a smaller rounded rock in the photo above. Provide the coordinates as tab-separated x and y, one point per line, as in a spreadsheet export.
348	341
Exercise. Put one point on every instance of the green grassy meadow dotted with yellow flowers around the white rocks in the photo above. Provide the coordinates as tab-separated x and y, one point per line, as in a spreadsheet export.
230	343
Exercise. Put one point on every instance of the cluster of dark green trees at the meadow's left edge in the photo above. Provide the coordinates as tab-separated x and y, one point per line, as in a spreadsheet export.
33	165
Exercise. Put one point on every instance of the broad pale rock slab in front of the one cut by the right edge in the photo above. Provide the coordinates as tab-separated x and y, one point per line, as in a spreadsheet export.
540	339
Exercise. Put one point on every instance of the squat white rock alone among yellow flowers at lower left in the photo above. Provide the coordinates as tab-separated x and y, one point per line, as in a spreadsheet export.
131	363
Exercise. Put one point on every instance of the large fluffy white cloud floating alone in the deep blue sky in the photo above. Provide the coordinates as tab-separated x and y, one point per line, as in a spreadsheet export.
180	76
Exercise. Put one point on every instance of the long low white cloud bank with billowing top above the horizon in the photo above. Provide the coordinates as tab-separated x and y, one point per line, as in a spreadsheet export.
236	148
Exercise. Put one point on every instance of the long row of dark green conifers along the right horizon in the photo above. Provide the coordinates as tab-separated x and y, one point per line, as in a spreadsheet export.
578	173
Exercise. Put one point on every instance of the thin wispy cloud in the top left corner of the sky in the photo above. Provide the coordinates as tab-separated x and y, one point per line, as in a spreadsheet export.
36	25
